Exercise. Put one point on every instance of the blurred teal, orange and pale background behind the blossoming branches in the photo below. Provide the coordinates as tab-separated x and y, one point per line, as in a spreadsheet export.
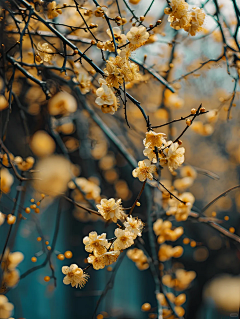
212	150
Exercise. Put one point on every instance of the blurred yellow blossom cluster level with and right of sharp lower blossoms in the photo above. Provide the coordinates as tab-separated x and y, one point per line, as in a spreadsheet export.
164	232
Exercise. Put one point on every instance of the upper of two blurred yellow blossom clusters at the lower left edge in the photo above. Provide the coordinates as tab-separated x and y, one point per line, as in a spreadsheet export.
9	264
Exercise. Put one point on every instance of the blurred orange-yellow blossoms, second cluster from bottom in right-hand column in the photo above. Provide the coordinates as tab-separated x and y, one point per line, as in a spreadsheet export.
181	281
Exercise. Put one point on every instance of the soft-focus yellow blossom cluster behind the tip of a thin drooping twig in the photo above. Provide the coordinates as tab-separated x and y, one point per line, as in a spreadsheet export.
182	209
